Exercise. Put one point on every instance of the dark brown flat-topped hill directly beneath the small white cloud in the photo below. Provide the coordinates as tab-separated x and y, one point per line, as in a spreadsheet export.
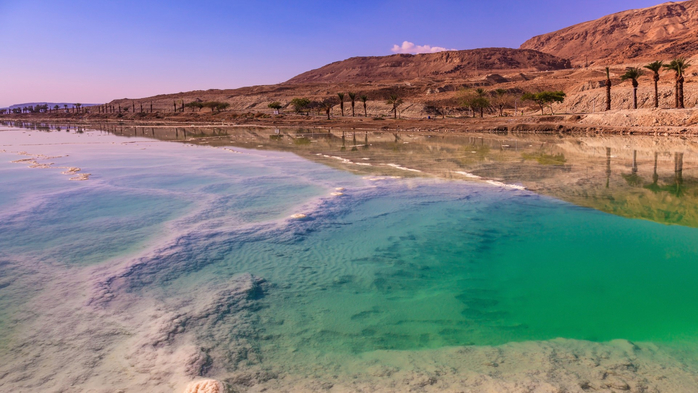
442	65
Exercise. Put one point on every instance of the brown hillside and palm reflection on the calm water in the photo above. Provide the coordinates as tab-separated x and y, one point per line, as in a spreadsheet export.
635	177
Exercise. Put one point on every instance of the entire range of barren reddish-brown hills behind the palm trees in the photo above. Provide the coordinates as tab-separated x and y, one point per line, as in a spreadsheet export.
429	81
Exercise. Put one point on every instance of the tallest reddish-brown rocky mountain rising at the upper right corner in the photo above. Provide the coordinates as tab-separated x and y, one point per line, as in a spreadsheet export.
661	32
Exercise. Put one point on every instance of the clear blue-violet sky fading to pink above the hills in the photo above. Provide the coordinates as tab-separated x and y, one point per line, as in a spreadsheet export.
91	51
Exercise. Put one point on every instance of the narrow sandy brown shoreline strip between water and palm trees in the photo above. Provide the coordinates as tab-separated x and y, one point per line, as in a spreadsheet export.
649	122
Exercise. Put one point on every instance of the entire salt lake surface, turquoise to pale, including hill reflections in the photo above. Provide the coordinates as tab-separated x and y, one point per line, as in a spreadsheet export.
318	260
